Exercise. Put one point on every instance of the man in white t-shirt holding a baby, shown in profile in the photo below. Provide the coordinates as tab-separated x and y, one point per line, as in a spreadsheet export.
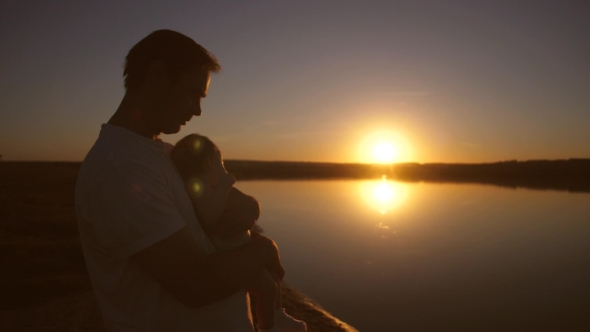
152	267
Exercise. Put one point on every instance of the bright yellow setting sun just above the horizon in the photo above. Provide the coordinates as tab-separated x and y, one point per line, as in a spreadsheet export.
384	147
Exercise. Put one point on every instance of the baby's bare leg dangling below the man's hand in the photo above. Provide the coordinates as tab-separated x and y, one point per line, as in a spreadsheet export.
265	290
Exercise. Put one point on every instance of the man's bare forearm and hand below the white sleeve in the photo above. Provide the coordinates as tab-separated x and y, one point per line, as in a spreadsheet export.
196	279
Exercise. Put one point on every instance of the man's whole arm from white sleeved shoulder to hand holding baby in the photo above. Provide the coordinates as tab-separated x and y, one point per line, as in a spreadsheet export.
134	215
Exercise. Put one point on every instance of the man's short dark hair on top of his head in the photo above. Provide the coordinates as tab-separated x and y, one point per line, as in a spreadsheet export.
172	48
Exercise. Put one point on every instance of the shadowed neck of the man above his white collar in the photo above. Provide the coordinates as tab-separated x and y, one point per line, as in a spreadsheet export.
133	114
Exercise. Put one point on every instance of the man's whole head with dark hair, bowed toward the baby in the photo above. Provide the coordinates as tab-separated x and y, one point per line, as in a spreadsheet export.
172	71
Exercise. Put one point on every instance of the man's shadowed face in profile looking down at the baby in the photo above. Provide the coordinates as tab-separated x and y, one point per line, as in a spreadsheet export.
181	100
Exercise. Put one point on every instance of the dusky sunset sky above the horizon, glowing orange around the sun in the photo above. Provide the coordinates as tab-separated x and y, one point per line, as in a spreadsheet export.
436	81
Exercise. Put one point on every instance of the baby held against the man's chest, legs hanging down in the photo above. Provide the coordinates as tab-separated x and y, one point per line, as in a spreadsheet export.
227	215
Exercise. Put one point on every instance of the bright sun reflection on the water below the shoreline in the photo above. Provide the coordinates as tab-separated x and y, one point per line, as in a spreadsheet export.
383	195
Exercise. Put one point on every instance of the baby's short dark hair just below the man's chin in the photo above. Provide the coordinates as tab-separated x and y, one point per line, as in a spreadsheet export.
190	155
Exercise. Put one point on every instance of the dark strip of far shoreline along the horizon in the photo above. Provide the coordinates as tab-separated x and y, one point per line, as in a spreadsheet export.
572	175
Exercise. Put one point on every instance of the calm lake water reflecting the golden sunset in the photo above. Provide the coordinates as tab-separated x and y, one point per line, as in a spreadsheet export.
388	256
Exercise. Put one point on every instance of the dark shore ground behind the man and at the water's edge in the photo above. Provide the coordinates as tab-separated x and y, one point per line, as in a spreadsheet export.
44	284
